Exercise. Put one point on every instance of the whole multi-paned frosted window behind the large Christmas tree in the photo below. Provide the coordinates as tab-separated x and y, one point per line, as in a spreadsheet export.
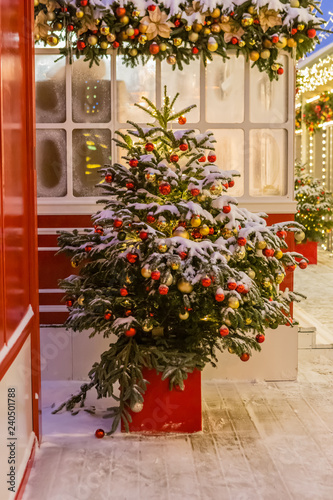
78	110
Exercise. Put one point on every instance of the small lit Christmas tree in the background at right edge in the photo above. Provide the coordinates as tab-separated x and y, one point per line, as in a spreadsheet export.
314	206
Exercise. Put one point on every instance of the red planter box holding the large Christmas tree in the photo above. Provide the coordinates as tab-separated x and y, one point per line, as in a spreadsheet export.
169	411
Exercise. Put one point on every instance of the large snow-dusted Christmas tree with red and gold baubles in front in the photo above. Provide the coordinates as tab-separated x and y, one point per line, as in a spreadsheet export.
172	269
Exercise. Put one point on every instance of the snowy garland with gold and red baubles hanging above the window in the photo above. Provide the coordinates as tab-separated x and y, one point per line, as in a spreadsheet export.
179	32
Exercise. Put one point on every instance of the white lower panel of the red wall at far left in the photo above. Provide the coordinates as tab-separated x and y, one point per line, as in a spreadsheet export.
19	377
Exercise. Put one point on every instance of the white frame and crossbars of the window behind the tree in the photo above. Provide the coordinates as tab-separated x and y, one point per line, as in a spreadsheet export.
70	204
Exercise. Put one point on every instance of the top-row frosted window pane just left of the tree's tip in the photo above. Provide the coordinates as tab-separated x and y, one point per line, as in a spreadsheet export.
132	84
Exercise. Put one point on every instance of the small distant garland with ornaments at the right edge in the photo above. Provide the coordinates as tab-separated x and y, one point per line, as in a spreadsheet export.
316	113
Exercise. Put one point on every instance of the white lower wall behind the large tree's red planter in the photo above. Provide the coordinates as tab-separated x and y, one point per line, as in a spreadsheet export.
69	356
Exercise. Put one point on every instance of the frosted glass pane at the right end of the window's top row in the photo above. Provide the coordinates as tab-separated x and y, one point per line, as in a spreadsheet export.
269	100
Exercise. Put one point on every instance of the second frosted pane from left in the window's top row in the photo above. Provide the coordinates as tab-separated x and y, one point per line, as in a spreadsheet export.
91	91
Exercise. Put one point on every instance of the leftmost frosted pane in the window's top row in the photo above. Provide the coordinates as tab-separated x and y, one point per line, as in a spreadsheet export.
50	89
